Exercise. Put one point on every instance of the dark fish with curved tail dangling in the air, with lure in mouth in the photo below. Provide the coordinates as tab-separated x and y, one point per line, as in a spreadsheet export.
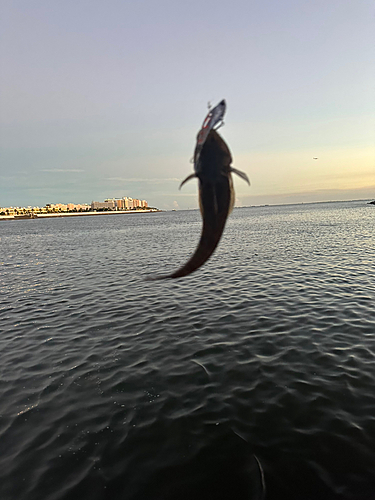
212	167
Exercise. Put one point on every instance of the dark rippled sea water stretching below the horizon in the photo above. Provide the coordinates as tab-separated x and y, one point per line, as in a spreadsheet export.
116	388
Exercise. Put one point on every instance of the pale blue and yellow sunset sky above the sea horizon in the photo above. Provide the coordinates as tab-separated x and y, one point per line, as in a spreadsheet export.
103	99
